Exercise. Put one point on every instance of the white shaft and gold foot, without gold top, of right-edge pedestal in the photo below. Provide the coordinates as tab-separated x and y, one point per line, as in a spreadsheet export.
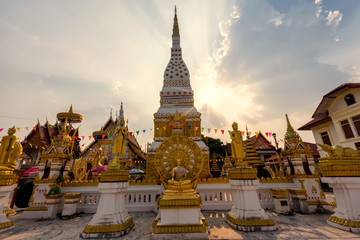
347	194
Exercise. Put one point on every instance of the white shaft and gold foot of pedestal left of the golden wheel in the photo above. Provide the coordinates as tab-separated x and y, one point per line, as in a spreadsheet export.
111	218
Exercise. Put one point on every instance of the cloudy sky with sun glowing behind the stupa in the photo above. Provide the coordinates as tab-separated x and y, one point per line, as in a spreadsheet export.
250	61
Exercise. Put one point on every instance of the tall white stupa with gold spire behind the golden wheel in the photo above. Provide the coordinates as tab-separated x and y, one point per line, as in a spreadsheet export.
177	114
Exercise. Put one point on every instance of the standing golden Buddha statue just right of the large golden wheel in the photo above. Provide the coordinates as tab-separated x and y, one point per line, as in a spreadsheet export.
237	145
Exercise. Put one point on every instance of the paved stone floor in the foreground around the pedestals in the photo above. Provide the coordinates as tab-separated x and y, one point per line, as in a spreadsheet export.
299	226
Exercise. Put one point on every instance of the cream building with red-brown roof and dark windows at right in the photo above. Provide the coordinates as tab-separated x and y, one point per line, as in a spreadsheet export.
336	120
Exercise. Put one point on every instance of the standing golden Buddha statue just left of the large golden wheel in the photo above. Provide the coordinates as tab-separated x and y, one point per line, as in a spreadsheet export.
119	147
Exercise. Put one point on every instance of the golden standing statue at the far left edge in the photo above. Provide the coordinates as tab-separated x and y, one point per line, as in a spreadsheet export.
10	149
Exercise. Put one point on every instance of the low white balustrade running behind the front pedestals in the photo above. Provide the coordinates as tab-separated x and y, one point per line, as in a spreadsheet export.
215	195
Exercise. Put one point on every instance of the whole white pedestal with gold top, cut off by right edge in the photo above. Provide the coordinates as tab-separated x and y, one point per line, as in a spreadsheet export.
342	173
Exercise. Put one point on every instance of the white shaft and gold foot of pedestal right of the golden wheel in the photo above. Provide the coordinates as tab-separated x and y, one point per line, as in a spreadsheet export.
246	213
